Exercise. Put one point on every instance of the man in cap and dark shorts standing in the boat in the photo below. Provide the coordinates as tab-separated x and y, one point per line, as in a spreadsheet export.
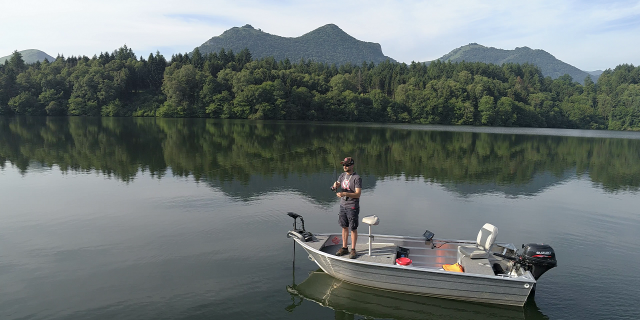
351	185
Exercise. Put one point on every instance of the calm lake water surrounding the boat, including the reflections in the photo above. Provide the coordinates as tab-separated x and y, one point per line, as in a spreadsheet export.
186	219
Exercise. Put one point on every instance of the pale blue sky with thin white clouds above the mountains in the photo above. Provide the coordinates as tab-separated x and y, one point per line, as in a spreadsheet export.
590	34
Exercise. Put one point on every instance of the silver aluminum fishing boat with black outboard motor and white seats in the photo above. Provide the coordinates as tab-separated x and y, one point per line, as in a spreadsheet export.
491	272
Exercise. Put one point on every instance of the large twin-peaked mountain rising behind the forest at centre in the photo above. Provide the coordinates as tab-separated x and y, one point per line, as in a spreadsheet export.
328	44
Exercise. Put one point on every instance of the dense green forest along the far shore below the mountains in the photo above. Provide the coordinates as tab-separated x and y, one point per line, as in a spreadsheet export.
232	85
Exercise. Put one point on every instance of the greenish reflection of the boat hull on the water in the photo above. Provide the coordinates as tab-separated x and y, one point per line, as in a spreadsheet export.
348	299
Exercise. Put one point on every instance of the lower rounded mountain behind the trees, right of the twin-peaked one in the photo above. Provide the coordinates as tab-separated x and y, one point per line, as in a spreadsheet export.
549	65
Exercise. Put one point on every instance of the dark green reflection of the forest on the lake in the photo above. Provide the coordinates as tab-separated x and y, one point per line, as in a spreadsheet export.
218	150
